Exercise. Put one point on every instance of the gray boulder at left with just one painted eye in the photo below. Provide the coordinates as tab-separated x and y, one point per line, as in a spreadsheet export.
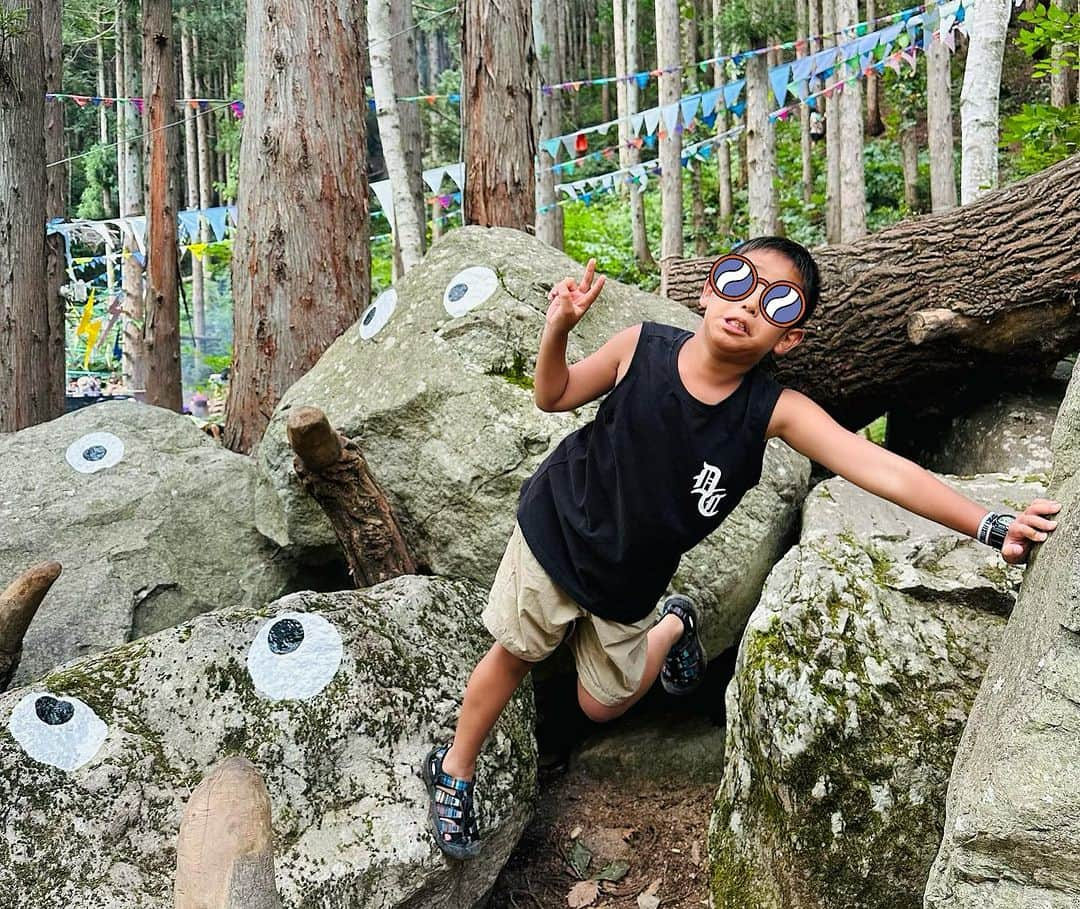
152	520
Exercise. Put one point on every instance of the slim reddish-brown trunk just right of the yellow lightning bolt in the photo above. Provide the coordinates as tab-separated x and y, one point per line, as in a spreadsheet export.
161	307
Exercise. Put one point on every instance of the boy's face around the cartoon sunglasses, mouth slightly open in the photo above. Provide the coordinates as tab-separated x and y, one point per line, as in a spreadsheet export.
758	335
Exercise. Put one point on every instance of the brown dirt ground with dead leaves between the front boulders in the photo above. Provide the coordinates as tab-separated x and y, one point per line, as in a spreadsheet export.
658	832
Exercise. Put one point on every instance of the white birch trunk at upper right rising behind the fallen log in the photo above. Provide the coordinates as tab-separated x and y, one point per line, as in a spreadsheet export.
979	99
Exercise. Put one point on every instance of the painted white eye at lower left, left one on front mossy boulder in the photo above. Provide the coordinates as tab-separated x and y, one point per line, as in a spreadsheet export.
57	730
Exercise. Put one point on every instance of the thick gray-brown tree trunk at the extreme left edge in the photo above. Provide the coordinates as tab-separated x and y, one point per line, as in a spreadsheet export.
25	398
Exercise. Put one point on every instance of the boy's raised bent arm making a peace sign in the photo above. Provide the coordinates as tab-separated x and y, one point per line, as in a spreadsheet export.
557	387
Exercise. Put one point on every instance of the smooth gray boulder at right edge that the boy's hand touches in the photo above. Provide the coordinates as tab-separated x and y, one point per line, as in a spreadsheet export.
1012	829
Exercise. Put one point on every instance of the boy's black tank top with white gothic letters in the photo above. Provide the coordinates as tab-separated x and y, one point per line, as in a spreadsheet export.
612	510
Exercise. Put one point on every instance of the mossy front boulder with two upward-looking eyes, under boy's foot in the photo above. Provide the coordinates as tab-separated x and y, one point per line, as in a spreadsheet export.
335	699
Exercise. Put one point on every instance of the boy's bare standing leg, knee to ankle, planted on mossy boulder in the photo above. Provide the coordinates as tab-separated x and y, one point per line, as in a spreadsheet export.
491	687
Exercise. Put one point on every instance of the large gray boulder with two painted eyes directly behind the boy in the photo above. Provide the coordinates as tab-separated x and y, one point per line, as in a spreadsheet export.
442	408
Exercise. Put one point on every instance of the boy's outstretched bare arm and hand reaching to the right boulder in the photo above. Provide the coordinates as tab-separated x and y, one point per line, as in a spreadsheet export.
808	429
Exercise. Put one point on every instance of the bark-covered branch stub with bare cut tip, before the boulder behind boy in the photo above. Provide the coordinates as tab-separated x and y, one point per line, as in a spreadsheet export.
332	469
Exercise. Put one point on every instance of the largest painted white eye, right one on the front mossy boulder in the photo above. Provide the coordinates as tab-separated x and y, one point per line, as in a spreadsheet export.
294	657
